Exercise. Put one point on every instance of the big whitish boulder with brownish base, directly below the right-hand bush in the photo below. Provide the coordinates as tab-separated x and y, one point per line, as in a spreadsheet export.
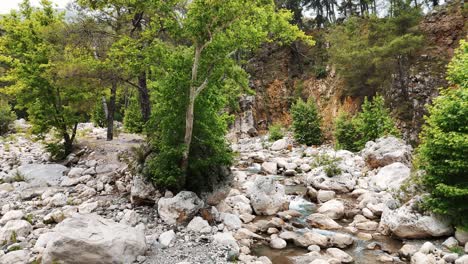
385	151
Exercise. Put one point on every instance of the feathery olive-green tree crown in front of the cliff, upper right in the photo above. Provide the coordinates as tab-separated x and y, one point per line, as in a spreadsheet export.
369	51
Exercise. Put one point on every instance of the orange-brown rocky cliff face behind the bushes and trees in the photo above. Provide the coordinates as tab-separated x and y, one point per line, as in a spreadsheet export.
282	74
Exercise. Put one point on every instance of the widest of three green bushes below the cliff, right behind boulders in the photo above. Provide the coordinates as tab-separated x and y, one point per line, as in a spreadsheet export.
373	122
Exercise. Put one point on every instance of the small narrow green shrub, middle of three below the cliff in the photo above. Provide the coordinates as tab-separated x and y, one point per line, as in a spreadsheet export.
344	132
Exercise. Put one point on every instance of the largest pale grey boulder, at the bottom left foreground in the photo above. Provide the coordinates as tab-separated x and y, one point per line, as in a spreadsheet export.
84	239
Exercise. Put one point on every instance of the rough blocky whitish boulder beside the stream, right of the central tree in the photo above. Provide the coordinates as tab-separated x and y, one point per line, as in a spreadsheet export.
266	196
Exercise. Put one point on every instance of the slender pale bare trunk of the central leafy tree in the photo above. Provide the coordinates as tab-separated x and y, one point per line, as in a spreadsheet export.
190	110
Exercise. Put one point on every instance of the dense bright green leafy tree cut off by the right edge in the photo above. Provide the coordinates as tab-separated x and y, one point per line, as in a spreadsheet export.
444	145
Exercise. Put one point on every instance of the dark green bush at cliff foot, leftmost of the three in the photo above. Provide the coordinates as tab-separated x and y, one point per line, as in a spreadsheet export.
306	122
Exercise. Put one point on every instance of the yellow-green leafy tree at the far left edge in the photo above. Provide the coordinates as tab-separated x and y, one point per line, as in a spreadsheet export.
42	68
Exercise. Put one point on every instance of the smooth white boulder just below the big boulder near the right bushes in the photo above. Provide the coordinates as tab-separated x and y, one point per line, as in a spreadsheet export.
390	177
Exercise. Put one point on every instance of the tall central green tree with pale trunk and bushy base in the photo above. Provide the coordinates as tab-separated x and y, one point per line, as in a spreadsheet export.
194	78
